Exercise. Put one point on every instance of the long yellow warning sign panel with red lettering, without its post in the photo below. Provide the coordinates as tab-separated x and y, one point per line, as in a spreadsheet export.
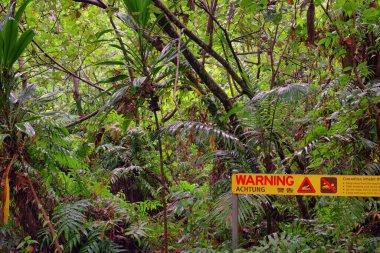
314	185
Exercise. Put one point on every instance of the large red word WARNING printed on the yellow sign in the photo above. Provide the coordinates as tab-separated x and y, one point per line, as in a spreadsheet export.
273	180
